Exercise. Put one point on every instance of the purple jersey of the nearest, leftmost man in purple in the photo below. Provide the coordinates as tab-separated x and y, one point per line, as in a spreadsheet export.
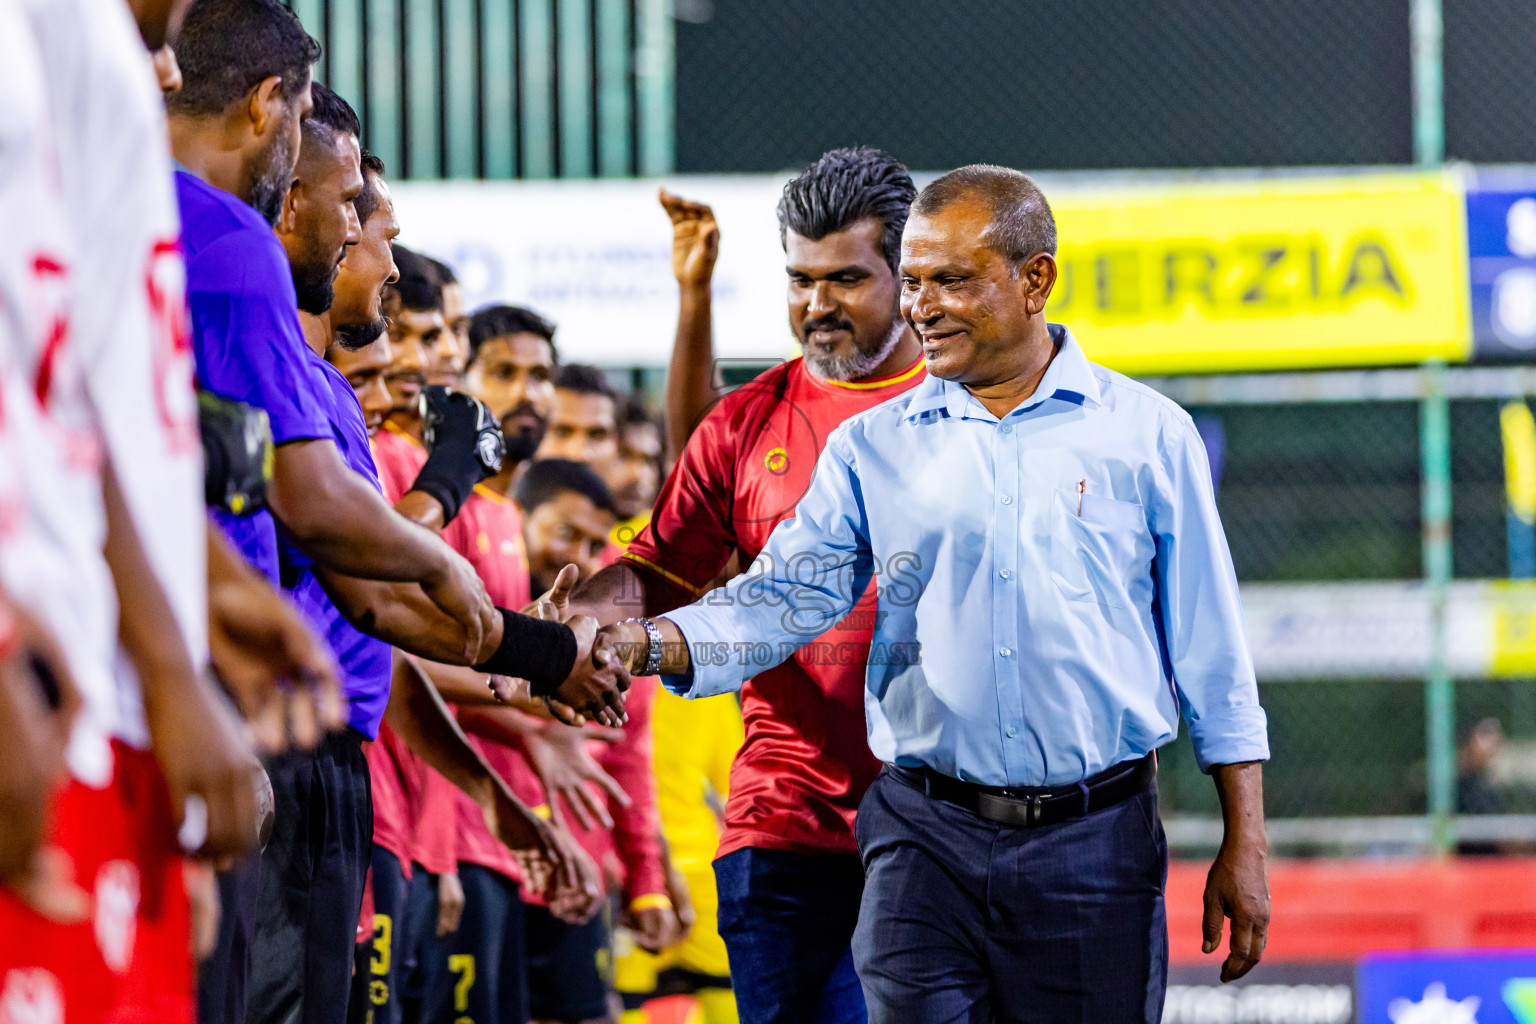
247	342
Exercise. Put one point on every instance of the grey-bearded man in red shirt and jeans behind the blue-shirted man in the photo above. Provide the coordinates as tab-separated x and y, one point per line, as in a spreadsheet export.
789	868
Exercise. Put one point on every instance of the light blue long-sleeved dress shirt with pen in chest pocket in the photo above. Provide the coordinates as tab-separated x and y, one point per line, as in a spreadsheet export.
1054	587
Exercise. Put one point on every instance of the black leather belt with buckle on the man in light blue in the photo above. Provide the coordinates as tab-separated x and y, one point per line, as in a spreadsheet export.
1034	807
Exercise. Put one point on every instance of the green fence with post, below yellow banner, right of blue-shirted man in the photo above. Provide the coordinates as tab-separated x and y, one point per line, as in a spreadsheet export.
1323	478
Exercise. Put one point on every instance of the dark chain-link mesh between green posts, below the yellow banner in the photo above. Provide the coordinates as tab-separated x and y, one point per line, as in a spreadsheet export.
1317	492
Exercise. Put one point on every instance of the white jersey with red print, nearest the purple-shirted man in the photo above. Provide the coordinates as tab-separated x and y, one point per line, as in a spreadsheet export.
130	320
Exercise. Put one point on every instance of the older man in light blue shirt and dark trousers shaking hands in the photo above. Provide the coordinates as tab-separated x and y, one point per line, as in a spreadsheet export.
1054	593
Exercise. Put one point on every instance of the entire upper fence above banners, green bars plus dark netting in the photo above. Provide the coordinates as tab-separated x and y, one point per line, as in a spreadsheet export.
581	88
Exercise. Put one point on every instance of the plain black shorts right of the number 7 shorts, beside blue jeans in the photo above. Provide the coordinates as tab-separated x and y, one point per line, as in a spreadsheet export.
571	966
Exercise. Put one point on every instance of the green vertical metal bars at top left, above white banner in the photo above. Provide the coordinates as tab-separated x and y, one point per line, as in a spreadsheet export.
505	88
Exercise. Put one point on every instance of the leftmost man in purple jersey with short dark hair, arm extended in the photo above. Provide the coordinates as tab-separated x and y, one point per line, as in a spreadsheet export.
236	128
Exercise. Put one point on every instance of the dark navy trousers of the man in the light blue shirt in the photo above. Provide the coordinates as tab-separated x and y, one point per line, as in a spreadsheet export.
968	922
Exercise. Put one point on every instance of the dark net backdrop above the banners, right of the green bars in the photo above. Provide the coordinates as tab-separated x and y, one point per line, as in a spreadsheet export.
1113	84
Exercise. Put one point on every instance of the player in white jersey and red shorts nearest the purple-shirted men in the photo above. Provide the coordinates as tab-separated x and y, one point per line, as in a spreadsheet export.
130	409
